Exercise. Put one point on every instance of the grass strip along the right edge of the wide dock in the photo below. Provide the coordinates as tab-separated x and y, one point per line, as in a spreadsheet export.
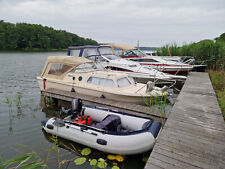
218	82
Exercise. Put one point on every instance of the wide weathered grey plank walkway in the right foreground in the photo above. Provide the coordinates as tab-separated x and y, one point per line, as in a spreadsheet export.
194	133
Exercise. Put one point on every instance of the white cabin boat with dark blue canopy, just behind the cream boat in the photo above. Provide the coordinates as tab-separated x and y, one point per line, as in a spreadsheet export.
103	55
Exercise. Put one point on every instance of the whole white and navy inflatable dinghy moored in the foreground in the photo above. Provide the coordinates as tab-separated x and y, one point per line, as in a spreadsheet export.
111	131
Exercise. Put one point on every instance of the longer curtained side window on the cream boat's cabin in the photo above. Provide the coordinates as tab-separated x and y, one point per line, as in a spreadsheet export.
101	81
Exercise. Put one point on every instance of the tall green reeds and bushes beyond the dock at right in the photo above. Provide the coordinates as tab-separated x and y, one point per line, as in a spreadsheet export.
212	52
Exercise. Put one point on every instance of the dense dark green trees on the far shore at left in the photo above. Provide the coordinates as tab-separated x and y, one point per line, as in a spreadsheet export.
33	36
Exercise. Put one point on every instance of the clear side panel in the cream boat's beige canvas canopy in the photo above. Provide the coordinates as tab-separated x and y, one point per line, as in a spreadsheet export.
58	69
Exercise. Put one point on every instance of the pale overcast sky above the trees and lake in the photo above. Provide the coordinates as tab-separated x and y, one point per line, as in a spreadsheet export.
151	22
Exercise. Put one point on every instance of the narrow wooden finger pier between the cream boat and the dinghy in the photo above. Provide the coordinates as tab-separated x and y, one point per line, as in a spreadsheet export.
129	108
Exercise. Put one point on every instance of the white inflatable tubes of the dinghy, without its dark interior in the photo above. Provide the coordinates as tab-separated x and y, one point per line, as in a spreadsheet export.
133	143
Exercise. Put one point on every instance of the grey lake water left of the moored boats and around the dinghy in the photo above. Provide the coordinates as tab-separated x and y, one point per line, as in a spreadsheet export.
23	126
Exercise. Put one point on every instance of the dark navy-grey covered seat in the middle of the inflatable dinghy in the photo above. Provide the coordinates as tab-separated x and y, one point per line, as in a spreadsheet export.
110	123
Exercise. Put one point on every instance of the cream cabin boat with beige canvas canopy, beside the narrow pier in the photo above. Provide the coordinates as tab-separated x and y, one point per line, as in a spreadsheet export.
80	75
